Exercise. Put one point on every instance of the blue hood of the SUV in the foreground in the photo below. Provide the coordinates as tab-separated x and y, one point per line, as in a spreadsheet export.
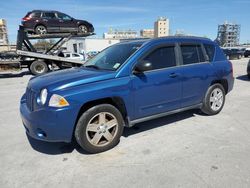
69	78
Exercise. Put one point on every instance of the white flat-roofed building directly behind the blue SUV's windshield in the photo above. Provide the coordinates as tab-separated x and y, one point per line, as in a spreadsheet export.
86	45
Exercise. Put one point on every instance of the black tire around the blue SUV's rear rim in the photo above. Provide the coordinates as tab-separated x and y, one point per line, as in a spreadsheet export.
207	104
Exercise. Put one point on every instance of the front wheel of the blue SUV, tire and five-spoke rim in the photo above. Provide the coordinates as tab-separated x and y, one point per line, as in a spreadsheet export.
99	128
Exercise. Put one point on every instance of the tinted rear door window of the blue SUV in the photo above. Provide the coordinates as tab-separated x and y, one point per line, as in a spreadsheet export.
192	54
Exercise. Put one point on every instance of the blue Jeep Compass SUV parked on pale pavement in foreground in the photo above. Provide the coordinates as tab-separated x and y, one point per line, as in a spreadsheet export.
125	84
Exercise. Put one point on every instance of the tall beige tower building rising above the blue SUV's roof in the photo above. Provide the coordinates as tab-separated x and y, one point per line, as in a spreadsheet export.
161	27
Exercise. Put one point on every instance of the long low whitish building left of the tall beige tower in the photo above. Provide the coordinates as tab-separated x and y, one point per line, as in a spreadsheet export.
120	34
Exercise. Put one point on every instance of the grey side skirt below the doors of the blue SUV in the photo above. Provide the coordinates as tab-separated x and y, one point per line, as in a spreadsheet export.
133	122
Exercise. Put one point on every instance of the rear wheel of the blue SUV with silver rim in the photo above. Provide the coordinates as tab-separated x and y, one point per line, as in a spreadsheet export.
214	100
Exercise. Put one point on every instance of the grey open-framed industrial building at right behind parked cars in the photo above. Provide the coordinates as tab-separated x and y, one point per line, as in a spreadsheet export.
228	34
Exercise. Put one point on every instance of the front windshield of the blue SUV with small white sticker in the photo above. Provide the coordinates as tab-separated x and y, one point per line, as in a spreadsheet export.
113	57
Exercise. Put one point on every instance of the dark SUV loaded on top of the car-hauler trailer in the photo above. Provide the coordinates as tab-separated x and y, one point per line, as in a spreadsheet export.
42	22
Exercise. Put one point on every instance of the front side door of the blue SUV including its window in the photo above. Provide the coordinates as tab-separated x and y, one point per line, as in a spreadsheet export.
158	90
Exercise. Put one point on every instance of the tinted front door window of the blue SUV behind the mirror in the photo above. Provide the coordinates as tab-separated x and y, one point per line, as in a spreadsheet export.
162	58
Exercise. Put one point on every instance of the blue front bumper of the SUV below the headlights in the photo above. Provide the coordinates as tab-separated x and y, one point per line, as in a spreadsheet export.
49	124
